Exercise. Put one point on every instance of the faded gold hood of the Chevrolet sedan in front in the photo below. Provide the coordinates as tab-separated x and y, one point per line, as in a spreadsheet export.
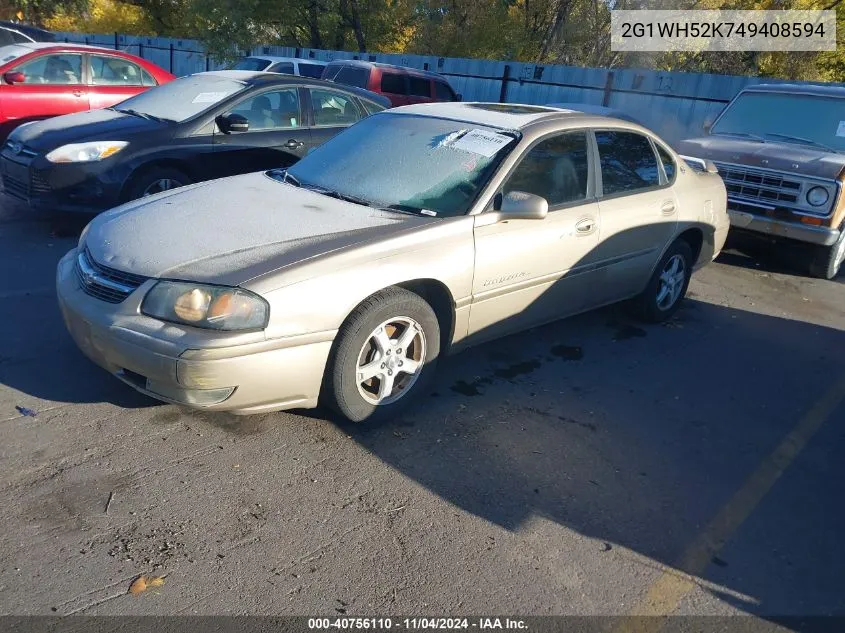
231	230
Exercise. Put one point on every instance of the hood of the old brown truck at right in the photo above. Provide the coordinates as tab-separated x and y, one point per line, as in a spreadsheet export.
788	157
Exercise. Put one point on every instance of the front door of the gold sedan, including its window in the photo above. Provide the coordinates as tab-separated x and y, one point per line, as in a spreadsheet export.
529	272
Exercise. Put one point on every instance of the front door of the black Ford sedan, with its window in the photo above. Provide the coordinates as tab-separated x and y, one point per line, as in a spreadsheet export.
277	136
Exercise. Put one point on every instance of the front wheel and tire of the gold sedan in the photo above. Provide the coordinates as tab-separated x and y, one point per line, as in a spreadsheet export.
394	311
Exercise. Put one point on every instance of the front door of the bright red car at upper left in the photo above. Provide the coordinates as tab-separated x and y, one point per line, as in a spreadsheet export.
54	84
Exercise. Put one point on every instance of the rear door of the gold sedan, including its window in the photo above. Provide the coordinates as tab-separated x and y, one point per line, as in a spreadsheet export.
638	213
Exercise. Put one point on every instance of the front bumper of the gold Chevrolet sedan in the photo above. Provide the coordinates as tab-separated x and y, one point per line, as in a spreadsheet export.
222	371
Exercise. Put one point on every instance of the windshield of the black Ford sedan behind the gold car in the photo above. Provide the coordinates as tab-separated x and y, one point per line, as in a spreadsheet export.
181	99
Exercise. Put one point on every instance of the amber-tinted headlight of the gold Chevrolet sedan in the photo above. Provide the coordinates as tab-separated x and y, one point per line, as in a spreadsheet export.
211	307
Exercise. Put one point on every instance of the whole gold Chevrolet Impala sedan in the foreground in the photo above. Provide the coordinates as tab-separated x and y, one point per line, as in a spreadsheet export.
417	232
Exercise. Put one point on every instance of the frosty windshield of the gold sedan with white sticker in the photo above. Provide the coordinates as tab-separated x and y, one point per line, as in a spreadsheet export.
409	163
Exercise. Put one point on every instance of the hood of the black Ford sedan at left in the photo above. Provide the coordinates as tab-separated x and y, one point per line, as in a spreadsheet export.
95	125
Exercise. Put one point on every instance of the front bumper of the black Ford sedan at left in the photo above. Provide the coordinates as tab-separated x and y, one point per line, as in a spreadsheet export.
85	188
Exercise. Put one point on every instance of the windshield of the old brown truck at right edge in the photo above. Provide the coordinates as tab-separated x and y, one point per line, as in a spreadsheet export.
796	118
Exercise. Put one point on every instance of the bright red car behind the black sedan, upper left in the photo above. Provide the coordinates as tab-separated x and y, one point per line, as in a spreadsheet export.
43	79
